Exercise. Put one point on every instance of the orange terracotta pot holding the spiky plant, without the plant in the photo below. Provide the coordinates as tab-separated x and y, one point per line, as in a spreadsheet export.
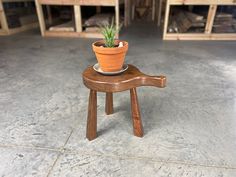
110	59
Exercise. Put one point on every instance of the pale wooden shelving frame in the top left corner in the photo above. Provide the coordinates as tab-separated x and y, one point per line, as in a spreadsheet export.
4	27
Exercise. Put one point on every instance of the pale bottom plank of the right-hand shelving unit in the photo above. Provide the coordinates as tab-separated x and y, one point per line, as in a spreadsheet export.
193	36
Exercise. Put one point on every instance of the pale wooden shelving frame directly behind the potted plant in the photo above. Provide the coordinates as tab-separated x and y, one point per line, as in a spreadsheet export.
78	18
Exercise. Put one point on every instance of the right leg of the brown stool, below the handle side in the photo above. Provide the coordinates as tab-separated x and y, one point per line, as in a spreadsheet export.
137	122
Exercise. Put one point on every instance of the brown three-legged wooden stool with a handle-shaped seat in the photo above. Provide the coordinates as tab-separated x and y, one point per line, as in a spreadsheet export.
128	80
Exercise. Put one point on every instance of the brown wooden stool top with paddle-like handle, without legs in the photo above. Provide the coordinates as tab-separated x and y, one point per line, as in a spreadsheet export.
131	78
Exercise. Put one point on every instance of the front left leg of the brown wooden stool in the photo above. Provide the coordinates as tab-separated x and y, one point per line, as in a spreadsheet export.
92	116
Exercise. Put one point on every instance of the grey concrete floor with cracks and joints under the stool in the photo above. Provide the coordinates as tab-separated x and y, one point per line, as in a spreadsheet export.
190	126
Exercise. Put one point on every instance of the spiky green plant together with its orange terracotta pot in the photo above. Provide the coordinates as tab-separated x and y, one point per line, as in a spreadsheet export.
110	52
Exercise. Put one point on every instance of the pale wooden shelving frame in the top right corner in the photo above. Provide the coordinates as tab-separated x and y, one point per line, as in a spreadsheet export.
207	34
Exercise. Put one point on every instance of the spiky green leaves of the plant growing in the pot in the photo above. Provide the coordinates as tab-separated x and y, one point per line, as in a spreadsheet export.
109	32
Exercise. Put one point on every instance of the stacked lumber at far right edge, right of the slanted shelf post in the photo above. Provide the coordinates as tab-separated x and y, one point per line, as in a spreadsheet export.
224	23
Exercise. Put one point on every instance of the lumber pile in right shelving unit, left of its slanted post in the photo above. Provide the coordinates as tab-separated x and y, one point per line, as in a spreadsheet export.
184	21
